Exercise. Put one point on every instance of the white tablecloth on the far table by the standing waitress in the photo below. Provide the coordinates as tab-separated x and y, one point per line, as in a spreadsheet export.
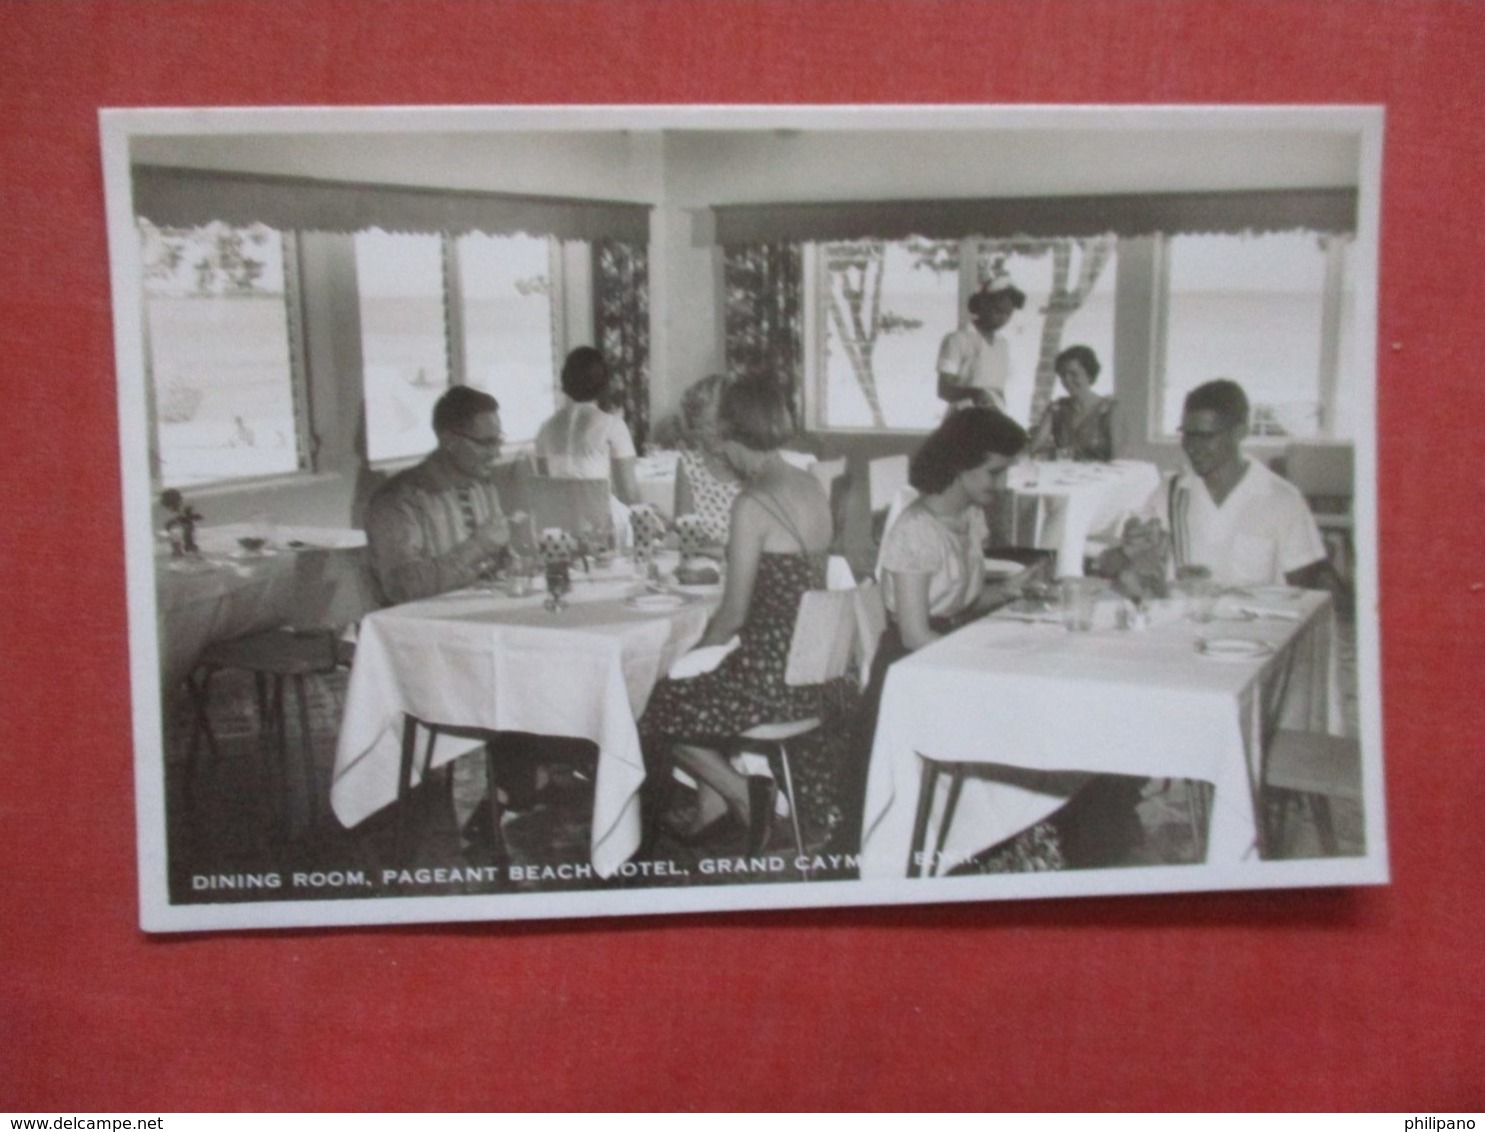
1077	500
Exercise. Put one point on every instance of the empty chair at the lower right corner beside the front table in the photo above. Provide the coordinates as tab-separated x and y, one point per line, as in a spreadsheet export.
1309	769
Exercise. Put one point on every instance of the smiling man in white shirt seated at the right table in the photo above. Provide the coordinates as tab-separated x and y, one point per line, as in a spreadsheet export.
1232	516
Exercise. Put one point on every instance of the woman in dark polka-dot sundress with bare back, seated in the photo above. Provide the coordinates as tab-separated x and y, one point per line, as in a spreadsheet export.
777	546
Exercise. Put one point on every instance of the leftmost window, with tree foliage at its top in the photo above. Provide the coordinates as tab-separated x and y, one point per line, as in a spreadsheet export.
219	347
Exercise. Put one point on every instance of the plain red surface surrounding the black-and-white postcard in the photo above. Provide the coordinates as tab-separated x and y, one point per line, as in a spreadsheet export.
1364	999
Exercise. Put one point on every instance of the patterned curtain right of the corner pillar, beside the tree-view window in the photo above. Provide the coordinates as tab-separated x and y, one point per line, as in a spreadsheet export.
766	329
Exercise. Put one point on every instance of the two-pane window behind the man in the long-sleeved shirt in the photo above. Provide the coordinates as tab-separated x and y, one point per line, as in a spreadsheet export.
437	311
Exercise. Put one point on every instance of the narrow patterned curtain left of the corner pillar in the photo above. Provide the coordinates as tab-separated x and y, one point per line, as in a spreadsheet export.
621	326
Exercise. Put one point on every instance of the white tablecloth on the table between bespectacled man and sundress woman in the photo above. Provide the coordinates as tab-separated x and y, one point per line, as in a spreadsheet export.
477	659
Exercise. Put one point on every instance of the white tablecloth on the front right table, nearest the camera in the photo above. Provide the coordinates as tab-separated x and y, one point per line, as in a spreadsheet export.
1117	702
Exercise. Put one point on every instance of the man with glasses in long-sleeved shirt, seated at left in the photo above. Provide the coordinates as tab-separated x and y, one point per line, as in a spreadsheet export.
439	525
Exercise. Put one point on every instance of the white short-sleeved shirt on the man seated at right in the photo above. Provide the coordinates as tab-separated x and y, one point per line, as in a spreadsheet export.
1262	533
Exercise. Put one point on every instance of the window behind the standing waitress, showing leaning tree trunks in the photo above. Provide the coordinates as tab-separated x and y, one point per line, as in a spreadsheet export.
881	311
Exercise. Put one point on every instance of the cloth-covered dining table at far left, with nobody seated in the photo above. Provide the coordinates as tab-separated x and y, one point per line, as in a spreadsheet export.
308	577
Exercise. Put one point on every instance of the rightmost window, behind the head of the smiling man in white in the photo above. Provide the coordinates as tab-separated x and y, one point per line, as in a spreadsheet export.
1269	311
